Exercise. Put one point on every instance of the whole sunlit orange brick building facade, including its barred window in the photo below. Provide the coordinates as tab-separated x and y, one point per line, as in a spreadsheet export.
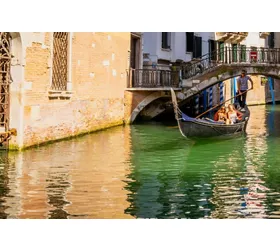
63	84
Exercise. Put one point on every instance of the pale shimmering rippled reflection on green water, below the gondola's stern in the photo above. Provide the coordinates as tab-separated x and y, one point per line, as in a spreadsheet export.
237	187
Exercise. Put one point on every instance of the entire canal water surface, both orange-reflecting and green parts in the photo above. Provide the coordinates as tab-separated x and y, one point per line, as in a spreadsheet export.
148	171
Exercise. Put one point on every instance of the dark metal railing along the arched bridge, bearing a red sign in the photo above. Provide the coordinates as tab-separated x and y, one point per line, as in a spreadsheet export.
231	56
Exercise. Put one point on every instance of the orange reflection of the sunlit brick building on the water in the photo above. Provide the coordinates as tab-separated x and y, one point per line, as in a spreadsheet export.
81	178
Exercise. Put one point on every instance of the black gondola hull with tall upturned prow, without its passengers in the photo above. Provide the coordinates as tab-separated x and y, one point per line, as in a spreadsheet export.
205	128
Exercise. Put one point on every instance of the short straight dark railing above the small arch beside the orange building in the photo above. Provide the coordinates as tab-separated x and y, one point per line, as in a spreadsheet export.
147	78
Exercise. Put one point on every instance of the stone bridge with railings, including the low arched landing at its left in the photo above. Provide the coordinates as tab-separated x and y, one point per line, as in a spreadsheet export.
149	93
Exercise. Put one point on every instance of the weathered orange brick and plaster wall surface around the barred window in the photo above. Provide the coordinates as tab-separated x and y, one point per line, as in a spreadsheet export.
99	64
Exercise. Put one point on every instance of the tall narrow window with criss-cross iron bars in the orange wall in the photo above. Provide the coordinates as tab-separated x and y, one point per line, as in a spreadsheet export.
59	62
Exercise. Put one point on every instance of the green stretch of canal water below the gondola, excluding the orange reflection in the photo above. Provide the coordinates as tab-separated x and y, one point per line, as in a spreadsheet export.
217	179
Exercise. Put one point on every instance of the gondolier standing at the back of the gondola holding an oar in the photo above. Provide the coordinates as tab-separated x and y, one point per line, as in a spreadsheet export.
242	87
